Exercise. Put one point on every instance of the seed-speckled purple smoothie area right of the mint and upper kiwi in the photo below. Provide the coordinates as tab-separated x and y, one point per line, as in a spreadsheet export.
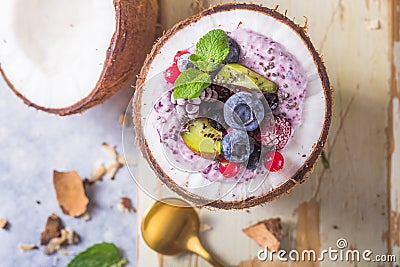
270	59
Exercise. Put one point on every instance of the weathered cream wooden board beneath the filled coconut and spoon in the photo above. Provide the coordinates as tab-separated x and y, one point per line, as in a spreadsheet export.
349	200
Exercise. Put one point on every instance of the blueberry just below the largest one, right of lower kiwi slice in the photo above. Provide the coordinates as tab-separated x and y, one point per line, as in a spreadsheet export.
237	146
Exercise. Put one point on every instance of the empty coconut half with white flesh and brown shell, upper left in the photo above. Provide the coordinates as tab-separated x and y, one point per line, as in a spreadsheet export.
68	55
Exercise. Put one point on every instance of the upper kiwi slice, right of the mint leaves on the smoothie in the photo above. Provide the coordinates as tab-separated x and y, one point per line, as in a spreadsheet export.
239	76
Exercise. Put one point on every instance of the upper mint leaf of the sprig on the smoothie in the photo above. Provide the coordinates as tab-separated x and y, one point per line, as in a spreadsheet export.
211	50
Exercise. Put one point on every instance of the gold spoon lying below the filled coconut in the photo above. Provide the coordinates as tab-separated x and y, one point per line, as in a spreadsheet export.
171	226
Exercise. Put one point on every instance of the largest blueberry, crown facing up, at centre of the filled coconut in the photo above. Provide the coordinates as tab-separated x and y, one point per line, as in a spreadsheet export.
244	110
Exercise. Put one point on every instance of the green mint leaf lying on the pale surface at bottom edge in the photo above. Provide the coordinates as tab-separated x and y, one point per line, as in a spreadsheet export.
99	255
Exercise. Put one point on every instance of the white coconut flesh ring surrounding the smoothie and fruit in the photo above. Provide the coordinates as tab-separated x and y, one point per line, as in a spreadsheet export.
304	139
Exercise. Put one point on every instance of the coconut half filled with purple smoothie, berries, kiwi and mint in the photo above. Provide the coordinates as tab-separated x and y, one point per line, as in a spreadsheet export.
233	106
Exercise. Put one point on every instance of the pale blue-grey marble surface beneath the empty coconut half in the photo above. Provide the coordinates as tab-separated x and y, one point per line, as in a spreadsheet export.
32	145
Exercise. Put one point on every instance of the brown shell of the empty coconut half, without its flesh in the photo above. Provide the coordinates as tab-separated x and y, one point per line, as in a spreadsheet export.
134	34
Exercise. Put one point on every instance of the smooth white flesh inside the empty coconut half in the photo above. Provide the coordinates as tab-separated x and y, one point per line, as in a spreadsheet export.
53	52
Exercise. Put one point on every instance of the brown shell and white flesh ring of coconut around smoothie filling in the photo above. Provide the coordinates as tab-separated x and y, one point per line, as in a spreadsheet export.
306	143
